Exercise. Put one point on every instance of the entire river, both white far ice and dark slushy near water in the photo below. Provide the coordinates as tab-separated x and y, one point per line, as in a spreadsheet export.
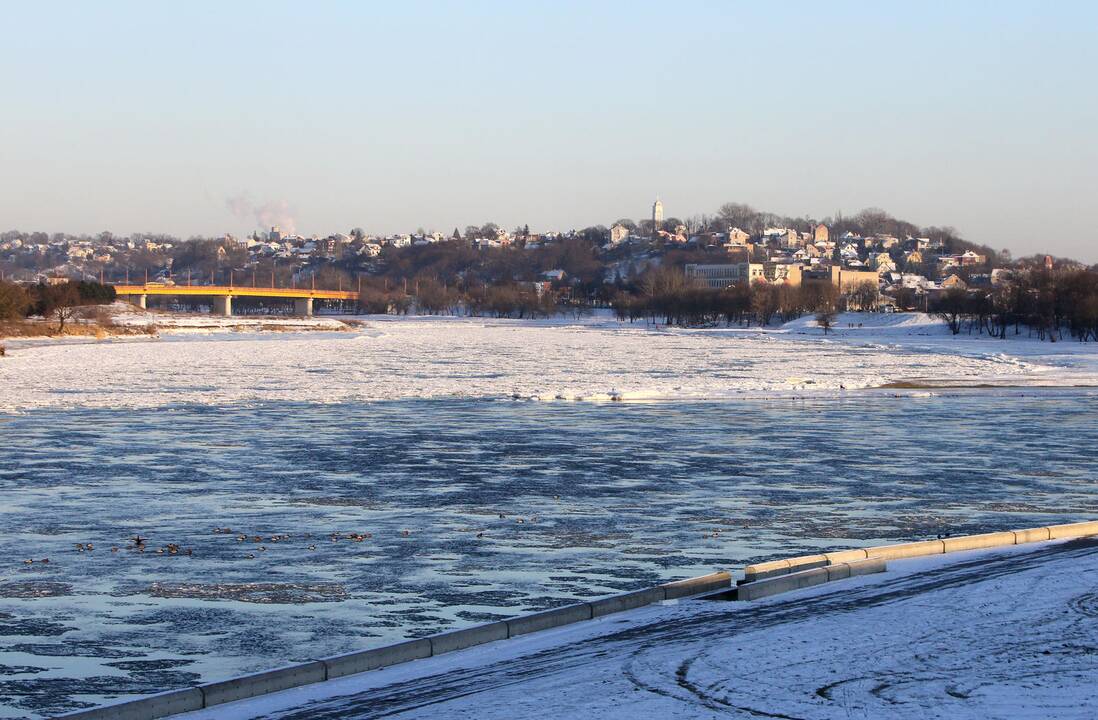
305	496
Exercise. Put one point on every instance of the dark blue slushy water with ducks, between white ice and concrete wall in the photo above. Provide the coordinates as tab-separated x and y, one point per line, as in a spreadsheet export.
467	511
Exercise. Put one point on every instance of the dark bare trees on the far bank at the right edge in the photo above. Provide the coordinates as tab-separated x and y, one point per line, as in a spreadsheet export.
1048	303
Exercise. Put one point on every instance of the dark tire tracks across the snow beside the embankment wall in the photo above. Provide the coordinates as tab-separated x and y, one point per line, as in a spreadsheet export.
701	629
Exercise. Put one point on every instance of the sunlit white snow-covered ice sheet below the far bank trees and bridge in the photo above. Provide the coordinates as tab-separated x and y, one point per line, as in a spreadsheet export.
593	358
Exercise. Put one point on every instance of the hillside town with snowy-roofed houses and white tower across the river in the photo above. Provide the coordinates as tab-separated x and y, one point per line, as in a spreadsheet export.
870	262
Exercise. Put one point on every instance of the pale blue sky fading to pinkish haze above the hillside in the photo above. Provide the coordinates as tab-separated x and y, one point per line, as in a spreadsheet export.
151	116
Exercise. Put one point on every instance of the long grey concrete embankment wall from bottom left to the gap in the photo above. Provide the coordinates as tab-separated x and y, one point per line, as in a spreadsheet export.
284	679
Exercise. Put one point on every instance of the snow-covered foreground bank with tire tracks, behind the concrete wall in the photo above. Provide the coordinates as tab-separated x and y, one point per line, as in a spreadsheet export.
1006	634
